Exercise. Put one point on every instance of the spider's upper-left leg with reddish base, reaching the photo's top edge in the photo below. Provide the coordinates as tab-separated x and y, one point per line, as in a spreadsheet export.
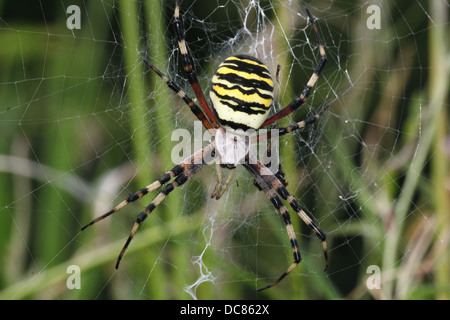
190	73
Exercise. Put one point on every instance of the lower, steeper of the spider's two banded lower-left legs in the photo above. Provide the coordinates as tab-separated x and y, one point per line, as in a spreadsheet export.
180	180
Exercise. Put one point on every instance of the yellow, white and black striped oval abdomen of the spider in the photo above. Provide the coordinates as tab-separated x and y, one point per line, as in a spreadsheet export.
241	93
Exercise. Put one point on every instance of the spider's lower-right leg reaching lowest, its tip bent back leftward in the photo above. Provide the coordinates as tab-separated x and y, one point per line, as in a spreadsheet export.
276	201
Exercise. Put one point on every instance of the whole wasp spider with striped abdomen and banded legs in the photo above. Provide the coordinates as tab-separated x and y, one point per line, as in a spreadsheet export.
241	95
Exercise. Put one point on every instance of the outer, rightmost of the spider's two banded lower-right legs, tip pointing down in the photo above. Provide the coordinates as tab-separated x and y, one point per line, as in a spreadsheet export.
279	187
